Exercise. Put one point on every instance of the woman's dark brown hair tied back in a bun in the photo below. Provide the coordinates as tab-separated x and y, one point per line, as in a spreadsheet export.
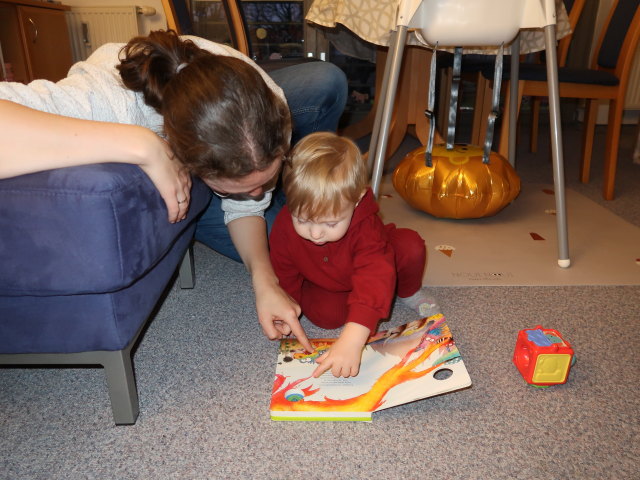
220	117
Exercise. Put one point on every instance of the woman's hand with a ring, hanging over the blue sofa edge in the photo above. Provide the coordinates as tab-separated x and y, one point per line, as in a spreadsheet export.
170	178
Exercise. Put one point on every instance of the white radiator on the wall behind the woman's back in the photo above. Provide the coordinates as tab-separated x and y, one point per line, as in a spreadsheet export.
90	27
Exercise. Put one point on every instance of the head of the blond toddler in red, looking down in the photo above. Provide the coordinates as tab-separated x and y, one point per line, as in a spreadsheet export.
323	181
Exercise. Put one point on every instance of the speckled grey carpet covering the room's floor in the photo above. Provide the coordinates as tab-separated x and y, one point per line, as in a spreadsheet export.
205	371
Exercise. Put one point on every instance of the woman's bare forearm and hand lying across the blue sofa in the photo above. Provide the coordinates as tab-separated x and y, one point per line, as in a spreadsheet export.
33	141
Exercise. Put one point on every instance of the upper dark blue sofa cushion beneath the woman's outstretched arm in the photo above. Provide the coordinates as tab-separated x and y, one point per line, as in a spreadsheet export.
89	229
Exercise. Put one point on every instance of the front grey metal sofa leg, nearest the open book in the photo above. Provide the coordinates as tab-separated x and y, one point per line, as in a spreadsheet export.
118	368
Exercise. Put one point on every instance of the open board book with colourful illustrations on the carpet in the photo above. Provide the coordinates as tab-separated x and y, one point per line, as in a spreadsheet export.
399	365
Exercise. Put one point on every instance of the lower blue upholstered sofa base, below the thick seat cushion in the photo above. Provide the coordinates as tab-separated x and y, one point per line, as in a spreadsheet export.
89	322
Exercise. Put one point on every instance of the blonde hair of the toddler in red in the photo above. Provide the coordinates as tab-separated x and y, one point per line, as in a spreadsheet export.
323	173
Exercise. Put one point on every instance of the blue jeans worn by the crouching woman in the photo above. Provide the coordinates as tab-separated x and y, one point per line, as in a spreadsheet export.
316	93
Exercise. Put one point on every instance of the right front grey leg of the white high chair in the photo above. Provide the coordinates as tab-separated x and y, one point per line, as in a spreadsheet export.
556	145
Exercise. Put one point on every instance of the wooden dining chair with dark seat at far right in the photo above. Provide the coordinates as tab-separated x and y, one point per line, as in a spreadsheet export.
606	79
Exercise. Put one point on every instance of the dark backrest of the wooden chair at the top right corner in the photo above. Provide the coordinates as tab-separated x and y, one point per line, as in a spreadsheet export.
619	38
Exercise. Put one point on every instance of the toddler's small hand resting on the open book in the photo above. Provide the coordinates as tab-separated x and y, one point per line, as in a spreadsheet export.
343	358
